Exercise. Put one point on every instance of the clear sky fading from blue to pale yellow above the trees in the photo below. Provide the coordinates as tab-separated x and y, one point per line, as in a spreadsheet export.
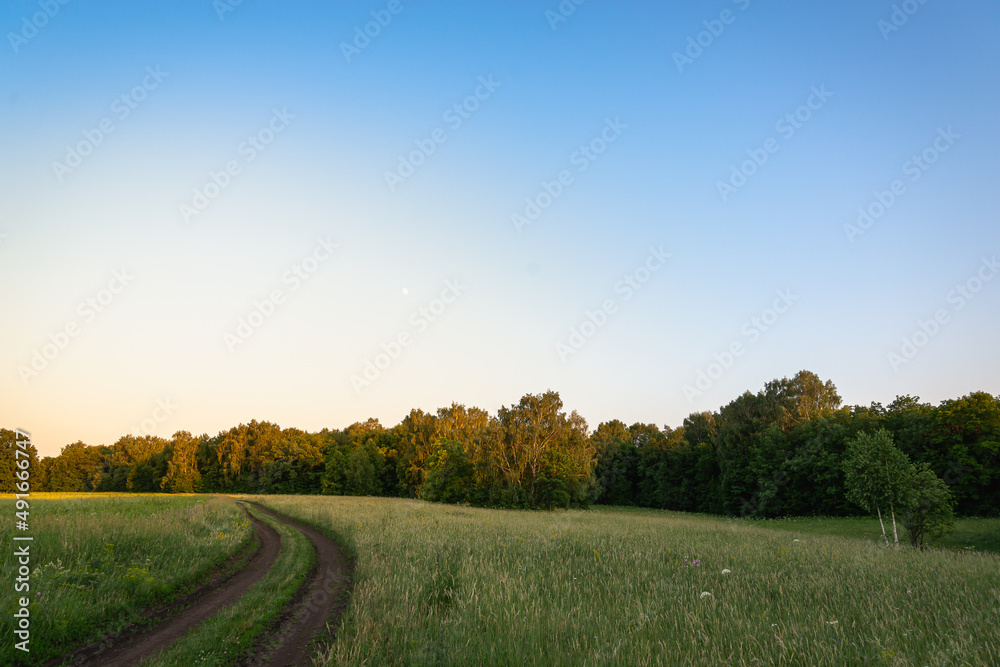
314	213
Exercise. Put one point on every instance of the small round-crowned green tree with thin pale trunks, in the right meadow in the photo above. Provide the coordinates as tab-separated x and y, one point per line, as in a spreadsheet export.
877	475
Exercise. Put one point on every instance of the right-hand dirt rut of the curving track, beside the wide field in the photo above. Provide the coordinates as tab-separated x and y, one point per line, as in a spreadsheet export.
321	602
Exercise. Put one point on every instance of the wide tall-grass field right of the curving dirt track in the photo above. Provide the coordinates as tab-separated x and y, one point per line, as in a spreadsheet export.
437	584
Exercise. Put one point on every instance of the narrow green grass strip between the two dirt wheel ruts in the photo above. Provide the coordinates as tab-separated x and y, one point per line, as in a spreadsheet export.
227	636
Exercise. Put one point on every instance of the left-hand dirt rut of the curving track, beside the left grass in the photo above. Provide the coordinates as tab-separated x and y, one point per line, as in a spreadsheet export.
159	637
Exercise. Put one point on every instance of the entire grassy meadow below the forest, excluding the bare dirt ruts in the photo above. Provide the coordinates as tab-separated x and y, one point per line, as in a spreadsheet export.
447	584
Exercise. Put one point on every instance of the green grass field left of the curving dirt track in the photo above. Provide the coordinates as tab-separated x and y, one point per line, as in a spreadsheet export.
99	560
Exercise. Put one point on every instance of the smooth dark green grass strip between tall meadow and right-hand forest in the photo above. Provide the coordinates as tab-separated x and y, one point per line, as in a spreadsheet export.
969	534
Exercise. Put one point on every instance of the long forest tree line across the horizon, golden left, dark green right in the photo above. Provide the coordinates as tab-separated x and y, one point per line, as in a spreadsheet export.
782	451
